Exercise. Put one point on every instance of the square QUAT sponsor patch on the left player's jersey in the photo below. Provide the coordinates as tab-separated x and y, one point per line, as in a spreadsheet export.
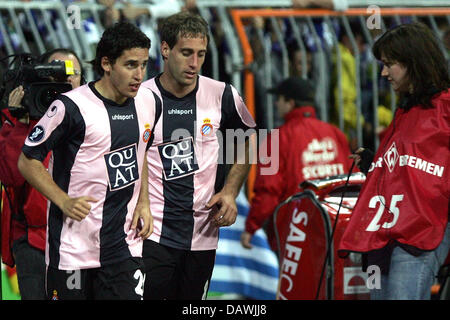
122	167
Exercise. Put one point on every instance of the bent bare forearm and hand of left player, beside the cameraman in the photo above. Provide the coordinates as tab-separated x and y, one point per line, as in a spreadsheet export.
38	177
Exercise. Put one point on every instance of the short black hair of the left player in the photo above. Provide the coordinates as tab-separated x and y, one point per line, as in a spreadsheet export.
115	40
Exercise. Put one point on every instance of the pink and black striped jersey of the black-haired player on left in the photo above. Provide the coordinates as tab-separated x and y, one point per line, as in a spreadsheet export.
98	150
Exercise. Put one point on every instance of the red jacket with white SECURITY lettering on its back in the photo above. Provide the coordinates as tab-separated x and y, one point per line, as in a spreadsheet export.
308	149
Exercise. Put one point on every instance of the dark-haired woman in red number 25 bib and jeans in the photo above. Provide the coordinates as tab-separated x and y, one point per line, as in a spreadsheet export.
401	217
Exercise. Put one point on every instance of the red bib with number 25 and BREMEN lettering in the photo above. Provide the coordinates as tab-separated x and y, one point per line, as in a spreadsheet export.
405	197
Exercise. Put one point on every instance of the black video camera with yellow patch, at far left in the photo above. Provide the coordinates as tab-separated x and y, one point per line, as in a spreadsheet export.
42	83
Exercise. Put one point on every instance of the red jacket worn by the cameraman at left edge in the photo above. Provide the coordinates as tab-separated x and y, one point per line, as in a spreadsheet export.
23	197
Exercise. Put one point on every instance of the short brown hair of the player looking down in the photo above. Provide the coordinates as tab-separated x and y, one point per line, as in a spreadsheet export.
183	24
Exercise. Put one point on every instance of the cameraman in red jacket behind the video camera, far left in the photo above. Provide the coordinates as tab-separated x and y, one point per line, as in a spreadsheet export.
24	208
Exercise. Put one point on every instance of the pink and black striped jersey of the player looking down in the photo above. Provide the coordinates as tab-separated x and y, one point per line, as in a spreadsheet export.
187	161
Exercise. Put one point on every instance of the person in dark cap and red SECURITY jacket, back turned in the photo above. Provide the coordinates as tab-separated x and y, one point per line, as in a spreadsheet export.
307	149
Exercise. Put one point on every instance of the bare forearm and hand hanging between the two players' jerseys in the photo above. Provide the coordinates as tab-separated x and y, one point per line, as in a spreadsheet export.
142	217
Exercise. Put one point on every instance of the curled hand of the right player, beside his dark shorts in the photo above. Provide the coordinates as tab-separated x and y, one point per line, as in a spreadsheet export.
227	213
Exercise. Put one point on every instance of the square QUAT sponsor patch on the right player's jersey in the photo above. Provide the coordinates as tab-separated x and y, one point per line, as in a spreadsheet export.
178	158
